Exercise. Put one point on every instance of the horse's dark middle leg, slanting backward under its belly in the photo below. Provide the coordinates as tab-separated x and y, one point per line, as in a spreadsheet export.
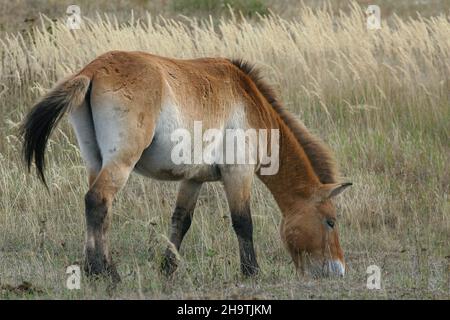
181	221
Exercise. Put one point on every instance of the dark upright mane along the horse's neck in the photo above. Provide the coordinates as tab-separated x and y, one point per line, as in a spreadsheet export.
319	155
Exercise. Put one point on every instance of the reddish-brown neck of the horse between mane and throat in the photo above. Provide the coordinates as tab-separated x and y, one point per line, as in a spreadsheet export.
296	177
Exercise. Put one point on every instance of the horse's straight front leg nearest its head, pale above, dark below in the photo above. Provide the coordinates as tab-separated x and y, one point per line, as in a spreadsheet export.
237	180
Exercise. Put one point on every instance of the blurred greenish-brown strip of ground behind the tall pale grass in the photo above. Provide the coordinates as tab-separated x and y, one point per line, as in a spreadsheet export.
21	15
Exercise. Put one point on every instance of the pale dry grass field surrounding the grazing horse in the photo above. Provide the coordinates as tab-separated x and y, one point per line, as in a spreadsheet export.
380	99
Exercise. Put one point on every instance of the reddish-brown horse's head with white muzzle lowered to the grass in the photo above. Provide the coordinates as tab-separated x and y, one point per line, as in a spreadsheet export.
310	233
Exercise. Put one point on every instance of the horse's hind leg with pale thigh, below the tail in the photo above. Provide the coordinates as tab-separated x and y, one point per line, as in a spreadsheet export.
122	133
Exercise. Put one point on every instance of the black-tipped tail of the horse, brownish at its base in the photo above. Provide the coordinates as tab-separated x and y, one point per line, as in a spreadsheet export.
45	115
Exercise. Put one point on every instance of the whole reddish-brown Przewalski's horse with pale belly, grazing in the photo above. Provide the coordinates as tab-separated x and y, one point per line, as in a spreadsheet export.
124	107
